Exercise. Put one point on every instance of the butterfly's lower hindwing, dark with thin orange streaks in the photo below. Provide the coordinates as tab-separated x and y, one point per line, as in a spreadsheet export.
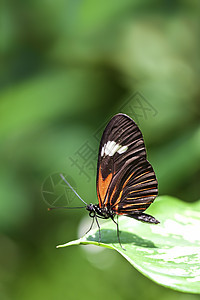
138	189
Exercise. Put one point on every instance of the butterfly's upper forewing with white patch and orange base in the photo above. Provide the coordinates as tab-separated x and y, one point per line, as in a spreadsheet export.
121	146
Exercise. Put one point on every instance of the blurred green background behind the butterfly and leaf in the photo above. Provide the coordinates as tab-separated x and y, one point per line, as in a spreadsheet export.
66	68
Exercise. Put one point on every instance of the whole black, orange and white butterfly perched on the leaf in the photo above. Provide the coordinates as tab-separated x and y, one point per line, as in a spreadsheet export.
126	183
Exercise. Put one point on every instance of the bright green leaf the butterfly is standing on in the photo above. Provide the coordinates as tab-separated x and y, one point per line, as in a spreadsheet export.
167	253
